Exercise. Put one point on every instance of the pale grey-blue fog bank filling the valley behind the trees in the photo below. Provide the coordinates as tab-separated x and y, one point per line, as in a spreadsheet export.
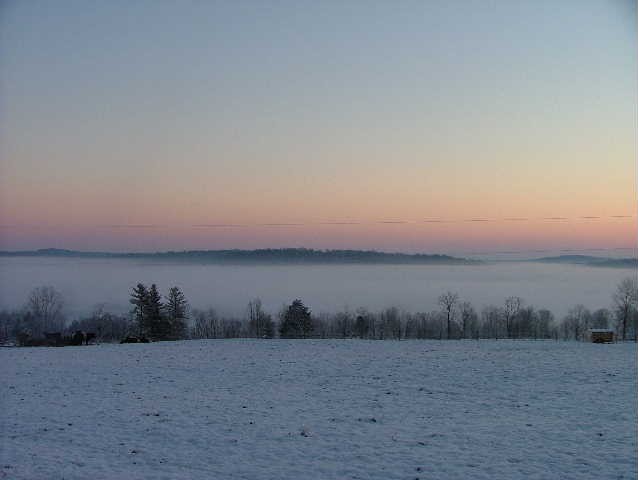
324	288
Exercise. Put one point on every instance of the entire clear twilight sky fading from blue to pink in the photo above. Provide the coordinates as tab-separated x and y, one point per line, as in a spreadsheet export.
156	125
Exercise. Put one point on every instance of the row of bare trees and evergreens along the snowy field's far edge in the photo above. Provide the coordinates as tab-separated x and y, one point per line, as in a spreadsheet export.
169	317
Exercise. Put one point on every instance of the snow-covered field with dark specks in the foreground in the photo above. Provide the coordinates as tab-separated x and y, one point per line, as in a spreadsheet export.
258	409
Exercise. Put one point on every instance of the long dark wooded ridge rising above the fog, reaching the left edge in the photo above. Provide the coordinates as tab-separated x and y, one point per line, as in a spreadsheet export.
279	255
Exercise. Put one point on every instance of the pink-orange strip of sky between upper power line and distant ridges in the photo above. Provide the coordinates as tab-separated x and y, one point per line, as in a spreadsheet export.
423	237
